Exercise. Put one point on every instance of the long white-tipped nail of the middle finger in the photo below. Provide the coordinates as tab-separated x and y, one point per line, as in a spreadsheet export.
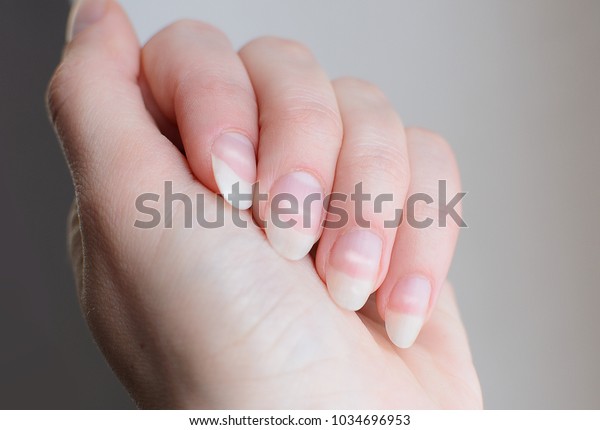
296	198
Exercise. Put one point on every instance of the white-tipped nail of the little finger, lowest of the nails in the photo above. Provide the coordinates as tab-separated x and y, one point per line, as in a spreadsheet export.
406	310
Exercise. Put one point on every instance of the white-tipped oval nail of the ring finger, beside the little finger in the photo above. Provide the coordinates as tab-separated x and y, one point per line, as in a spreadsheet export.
353	268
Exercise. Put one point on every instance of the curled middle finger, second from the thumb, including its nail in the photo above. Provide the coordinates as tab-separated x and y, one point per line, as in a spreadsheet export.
300	136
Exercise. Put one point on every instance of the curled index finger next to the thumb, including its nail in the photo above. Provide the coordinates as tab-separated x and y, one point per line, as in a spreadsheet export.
200	82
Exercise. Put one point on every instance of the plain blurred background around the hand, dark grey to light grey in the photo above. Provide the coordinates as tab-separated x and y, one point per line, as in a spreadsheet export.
513	85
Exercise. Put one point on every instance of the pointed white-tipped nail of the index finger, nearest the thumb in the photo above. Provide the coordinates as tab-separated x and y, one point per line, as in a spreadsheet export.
234	163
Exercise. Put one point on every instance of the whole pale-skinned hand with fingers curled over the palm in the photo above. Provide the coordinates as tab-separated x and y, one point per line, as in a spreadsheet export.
243	318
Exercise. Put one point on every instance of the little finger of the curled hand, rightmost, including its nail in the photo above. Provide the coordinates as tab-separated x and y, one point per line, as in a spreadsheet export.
425	240
